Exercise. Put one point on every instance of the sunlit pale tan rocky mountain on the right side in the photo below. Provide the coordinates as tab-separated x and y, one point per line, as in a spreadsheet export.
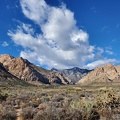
107	73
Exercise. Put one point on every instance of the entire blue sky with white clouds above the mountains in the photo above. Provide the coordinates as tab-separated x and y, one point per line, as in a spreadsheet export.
61	33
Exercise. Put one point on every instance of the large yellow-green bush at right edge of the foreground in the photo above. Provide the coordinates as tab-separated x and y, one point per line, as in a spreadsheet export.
107	103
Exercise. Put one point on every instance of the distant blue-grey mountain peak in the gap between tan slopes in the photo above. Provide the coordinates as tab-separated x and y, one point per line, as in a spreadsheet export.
74	74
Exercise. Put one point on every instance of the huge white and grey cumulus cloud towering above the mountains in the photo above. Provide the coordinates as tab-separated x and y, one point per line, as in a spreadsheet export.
60	44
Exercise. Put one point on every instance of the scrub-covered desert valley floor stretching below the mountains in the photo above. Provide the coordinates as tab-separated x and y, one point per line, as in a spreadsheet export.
73	102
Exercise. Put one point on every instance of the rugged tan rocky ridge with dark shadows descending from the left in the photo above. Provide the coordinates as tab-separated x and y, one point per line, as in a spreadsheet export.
27	71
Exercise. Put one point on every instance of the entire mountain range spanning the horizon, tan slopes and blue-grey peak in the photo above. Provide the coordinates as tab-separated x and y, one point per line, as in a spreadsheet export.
21	71
